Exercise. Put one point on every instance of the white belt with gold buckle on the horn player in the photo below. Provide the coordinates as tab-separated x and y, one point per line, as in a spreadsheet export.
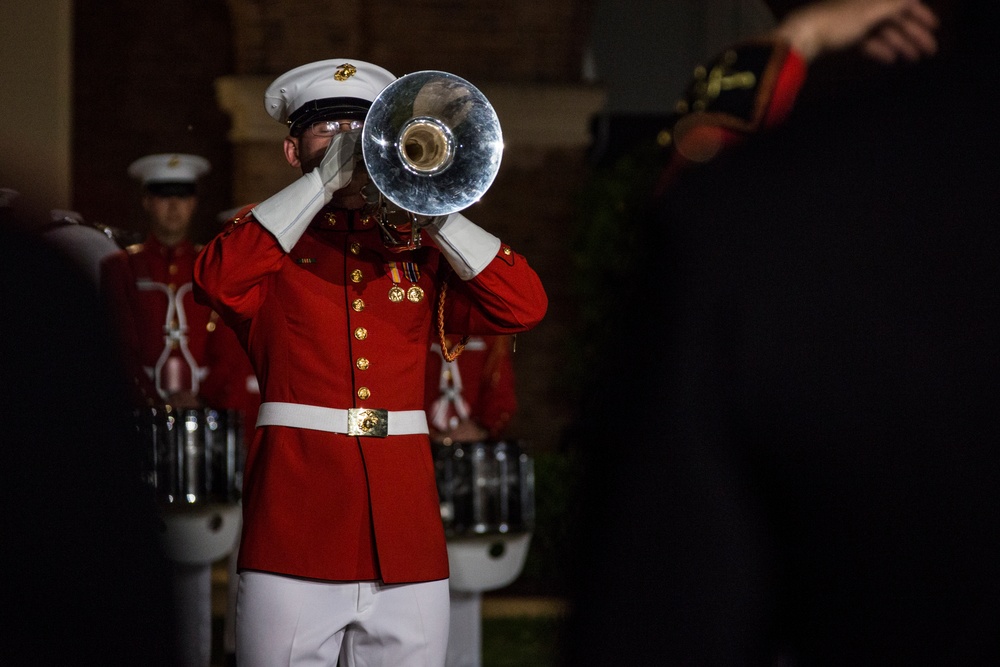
355	421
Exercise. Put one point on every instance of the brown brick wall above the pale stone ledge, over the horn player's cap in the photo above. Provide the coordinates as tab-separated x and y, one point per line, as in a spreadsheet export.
512	40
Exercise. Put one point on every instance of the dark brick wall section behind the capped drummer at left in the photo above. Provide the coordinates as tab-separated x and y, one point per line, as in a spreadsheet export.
144	83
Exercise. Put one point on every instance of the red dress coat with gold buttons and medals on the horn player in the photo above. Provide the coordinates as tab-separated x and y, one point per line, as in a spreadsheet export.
321	330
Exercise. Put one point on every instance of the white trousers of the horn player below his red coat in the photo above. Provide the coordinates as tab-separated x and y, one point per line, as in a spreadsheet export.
288	621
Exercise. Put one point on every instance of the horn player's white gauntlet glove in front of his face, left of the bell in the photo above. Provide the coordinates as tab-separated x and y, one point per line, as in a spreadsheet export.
288	213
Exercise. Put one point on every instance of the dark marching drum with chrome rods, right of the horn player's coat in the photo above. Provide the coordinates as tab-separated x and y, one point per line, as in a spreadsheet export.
485	488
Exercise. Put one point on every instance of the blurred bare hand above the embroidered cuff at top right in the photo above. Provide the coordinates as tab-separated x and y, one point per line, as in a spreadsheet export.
884	30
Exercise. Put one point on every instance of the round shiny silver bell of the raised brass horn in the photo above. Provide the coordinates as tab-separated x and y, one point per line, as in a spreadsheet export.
431	143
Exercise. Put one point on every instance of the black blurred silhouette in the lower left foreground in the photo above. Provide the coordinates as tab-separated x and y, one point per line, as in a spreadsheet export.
85	582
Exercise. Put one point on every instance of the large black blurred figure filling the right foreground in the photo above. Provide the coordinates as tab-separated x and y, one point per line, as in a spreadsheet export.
810	473
